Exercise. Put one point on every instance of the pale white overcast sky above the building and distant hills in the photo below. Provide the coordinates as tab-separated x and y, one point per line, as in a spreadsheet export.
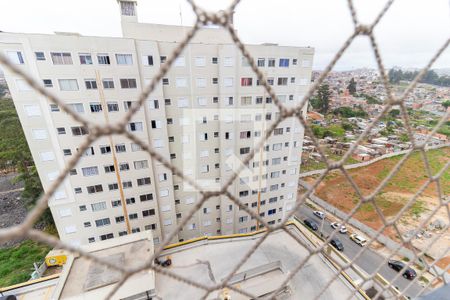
409	34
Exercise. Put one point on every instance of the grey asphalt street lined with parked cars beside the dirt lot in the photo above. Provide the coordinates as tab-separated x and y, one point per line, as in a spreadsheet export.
368	260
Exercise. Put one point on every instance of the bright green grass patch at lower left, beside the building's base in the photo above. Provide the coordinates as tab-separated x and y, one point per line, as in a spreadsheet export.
16	263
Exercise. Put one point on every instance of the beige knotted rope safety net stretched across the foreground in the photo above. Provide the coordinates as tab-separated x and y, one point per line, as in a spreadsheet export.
224	19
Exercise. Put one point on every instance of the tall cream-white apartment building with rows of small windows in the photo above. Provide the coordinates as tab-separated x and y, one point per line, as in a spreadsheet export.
204	117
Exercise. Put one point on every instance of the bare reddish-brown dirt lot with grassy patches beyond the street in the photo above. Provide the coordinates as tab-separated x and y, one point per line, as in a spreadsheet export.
336	190
